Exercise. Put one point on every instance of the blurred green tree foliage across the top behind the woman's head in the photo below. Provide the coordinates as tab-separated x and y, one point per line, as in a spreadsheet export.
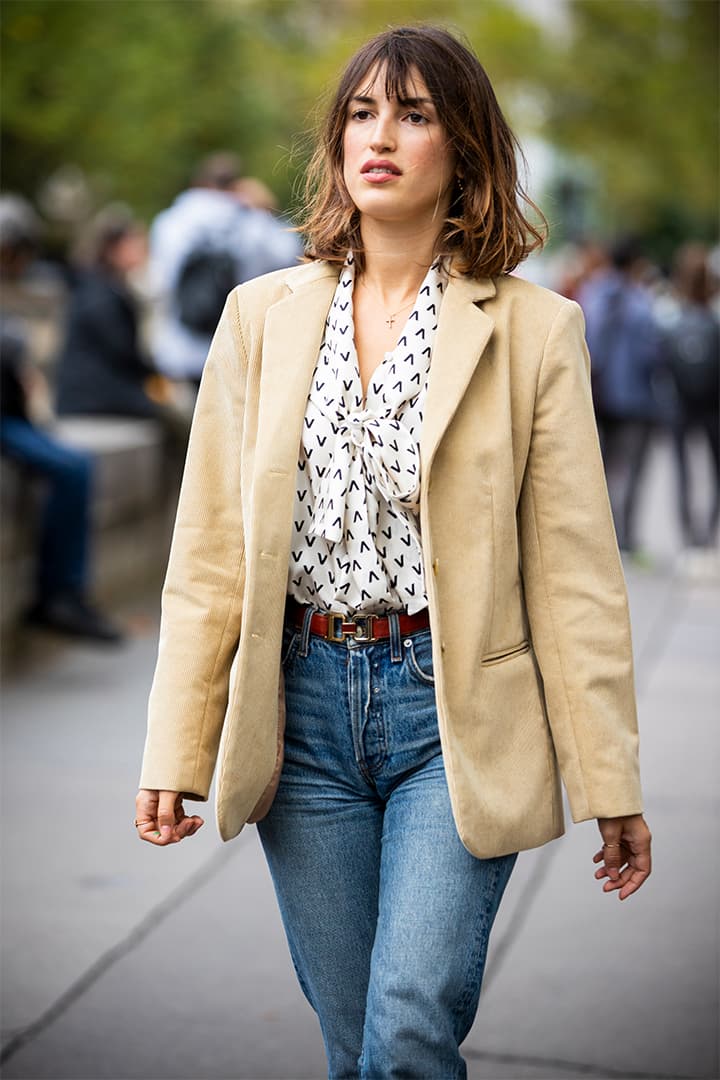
134	92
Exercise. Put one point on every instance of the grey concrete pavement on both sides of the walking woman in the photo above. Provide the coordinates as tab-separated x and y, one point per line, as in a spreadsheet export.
123	962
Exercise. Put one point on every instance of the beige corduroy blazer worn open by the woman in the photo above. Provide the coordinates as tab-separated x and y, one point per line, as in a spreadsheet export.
528	610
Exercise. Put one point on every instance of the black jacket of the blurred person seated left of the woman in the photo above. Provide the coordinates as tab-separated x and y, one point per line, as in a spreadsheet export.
101	369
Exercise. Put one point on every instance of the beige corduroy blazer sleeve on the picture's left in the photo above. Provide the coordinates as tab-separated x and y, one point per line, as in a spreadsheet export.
203	591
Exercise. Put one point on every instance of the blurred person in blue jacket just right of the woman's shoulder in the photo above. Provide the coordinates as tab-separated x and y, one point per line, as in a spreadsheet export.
627	356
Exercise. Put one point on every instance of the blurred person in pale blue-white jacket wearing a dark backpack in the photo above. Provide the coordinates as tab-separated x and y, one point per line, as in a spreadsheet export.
208	242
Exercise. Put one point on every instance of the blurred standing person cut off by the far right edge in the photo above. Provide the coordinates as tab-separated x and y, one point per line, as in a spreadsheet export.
692	347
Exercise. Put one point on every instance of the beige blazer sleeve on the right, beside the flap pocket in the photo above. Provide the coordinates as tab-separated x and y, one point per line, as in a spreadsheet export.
575	588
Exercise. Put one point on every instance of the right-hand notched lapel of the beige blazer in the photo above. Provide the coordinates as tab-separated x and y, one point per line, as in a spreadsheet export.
464	332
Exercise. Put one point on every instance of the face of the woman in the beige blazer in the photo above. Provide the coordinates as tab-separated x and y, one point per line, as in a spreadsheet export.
398	166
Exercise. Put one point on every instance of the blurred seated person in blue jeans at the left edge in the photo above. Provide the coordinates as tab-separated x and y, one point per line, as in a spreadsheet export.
63	558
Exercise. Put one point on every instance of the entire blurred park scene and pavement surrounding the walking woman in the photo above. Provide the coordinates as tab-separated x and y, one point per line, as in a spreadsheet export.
153	156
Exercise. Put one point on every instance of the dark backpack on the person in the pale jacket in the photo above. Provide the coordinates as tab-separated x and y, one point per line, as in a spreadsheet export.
205	281
